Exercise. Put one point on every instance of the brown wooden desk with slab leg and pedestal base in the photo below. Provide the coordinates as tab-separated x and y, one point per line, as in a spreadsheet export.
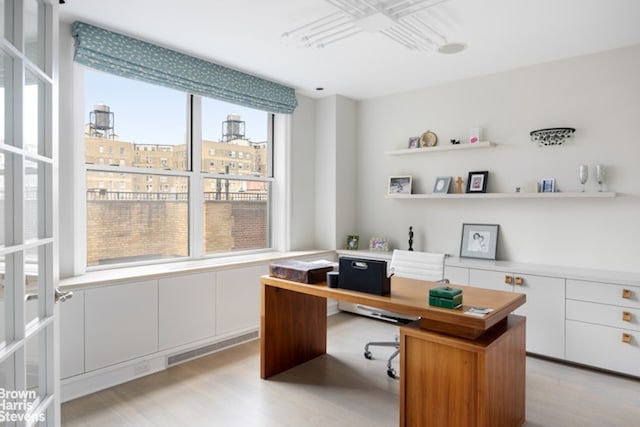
293	323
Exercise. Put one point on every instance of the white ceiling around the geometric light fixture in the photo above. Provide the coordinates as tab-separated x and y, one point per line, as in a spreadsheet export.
247	35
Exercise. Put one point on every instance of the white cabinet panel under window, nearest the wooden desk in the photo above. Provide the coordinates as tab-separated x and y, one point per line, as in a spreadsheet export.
238	298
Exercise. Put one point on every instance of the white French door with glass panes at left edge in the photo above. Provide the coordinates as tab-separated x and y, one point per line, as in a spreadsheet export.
28	205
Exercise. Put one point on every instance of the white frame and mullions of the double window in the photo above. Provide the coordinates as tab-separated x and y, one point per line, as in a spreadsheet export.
196	176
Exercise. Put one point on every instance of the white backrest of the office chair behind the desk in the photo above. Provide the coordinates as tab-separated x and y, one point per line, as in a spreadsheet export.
417	265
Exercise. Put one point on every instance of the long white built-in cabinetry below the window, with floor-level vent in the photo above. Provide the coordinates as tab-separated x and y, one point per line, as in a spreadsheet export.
114	332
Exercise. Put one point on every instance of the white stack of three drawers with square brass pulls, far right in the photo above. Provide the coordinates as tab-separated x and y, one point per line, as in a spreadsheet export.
603	325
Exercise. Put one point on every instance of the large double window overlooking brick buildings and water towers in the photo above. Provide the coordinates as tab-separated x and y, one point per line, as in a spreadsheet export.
160	163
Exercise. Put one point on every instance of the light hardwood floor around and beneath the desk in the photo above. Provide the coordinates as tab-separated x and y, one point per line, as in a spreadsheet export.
341	388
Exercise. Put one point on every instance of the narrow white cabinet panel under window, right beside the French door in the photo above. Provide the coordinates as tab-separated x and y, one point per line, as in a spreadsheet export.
72	335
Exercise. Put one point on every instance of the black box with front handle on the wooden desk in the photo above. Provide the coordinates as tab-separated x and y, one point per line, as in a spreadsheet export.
364	275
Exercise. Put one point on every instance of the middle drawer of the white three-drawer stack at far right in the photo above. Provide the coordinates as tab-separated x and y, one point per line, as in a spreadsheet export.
602	314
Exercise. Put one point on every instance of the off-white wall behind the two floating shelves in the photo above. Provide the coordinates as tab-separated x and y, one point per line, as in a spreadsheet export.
596	94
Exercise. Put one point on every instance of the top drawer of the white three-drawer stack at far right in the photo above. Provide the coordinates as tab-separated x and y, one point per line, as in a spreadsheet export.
604	293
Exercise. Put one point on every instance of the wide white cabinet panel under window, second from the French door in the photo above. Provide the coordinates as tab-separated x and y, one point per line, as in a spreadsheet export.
121	323
